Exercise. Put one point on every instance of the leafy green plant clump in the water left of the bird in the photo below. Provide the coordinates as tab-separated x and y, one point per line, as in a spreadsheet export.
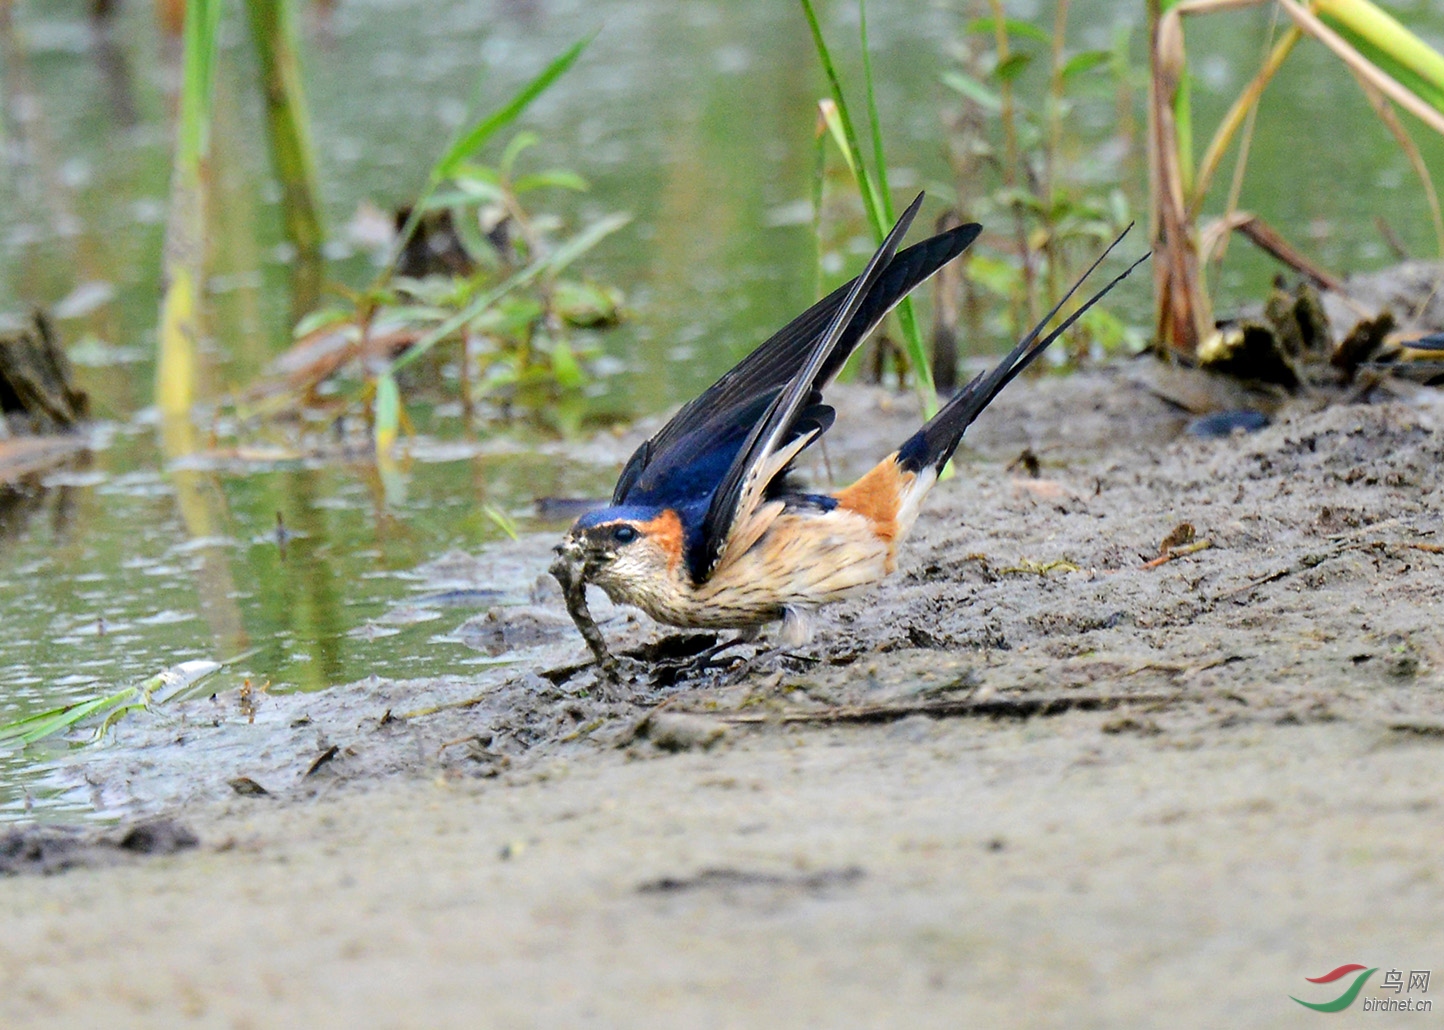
476	269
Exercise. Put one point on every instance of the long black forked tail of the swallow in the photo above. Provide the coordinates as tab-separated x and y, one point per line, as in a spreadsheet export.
932	446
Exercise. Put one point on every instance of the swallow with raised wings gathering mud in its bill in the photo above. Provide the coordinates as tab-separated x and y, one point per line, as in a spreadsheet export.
705	527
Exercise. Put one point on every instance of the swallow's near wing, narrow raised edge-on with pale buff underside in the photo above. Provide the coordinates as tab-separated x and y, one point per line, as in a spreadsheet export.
793	421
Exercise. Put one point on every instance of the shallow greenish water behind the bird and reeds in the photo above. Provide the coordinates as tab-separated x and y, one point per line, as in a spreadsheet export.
697	119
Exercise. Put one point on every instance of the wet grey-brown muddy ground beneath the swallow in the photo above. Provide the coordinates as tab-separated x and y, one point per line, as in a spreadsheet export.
1039	778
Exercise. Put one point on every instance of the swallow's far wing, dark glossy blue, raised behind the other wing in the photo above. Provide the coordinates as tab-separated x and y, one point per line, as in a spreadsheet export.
690	456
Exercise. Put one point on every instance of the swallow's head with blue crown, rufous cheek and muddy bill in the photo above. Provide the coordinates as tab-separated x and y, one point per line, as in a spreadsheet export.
625	548
